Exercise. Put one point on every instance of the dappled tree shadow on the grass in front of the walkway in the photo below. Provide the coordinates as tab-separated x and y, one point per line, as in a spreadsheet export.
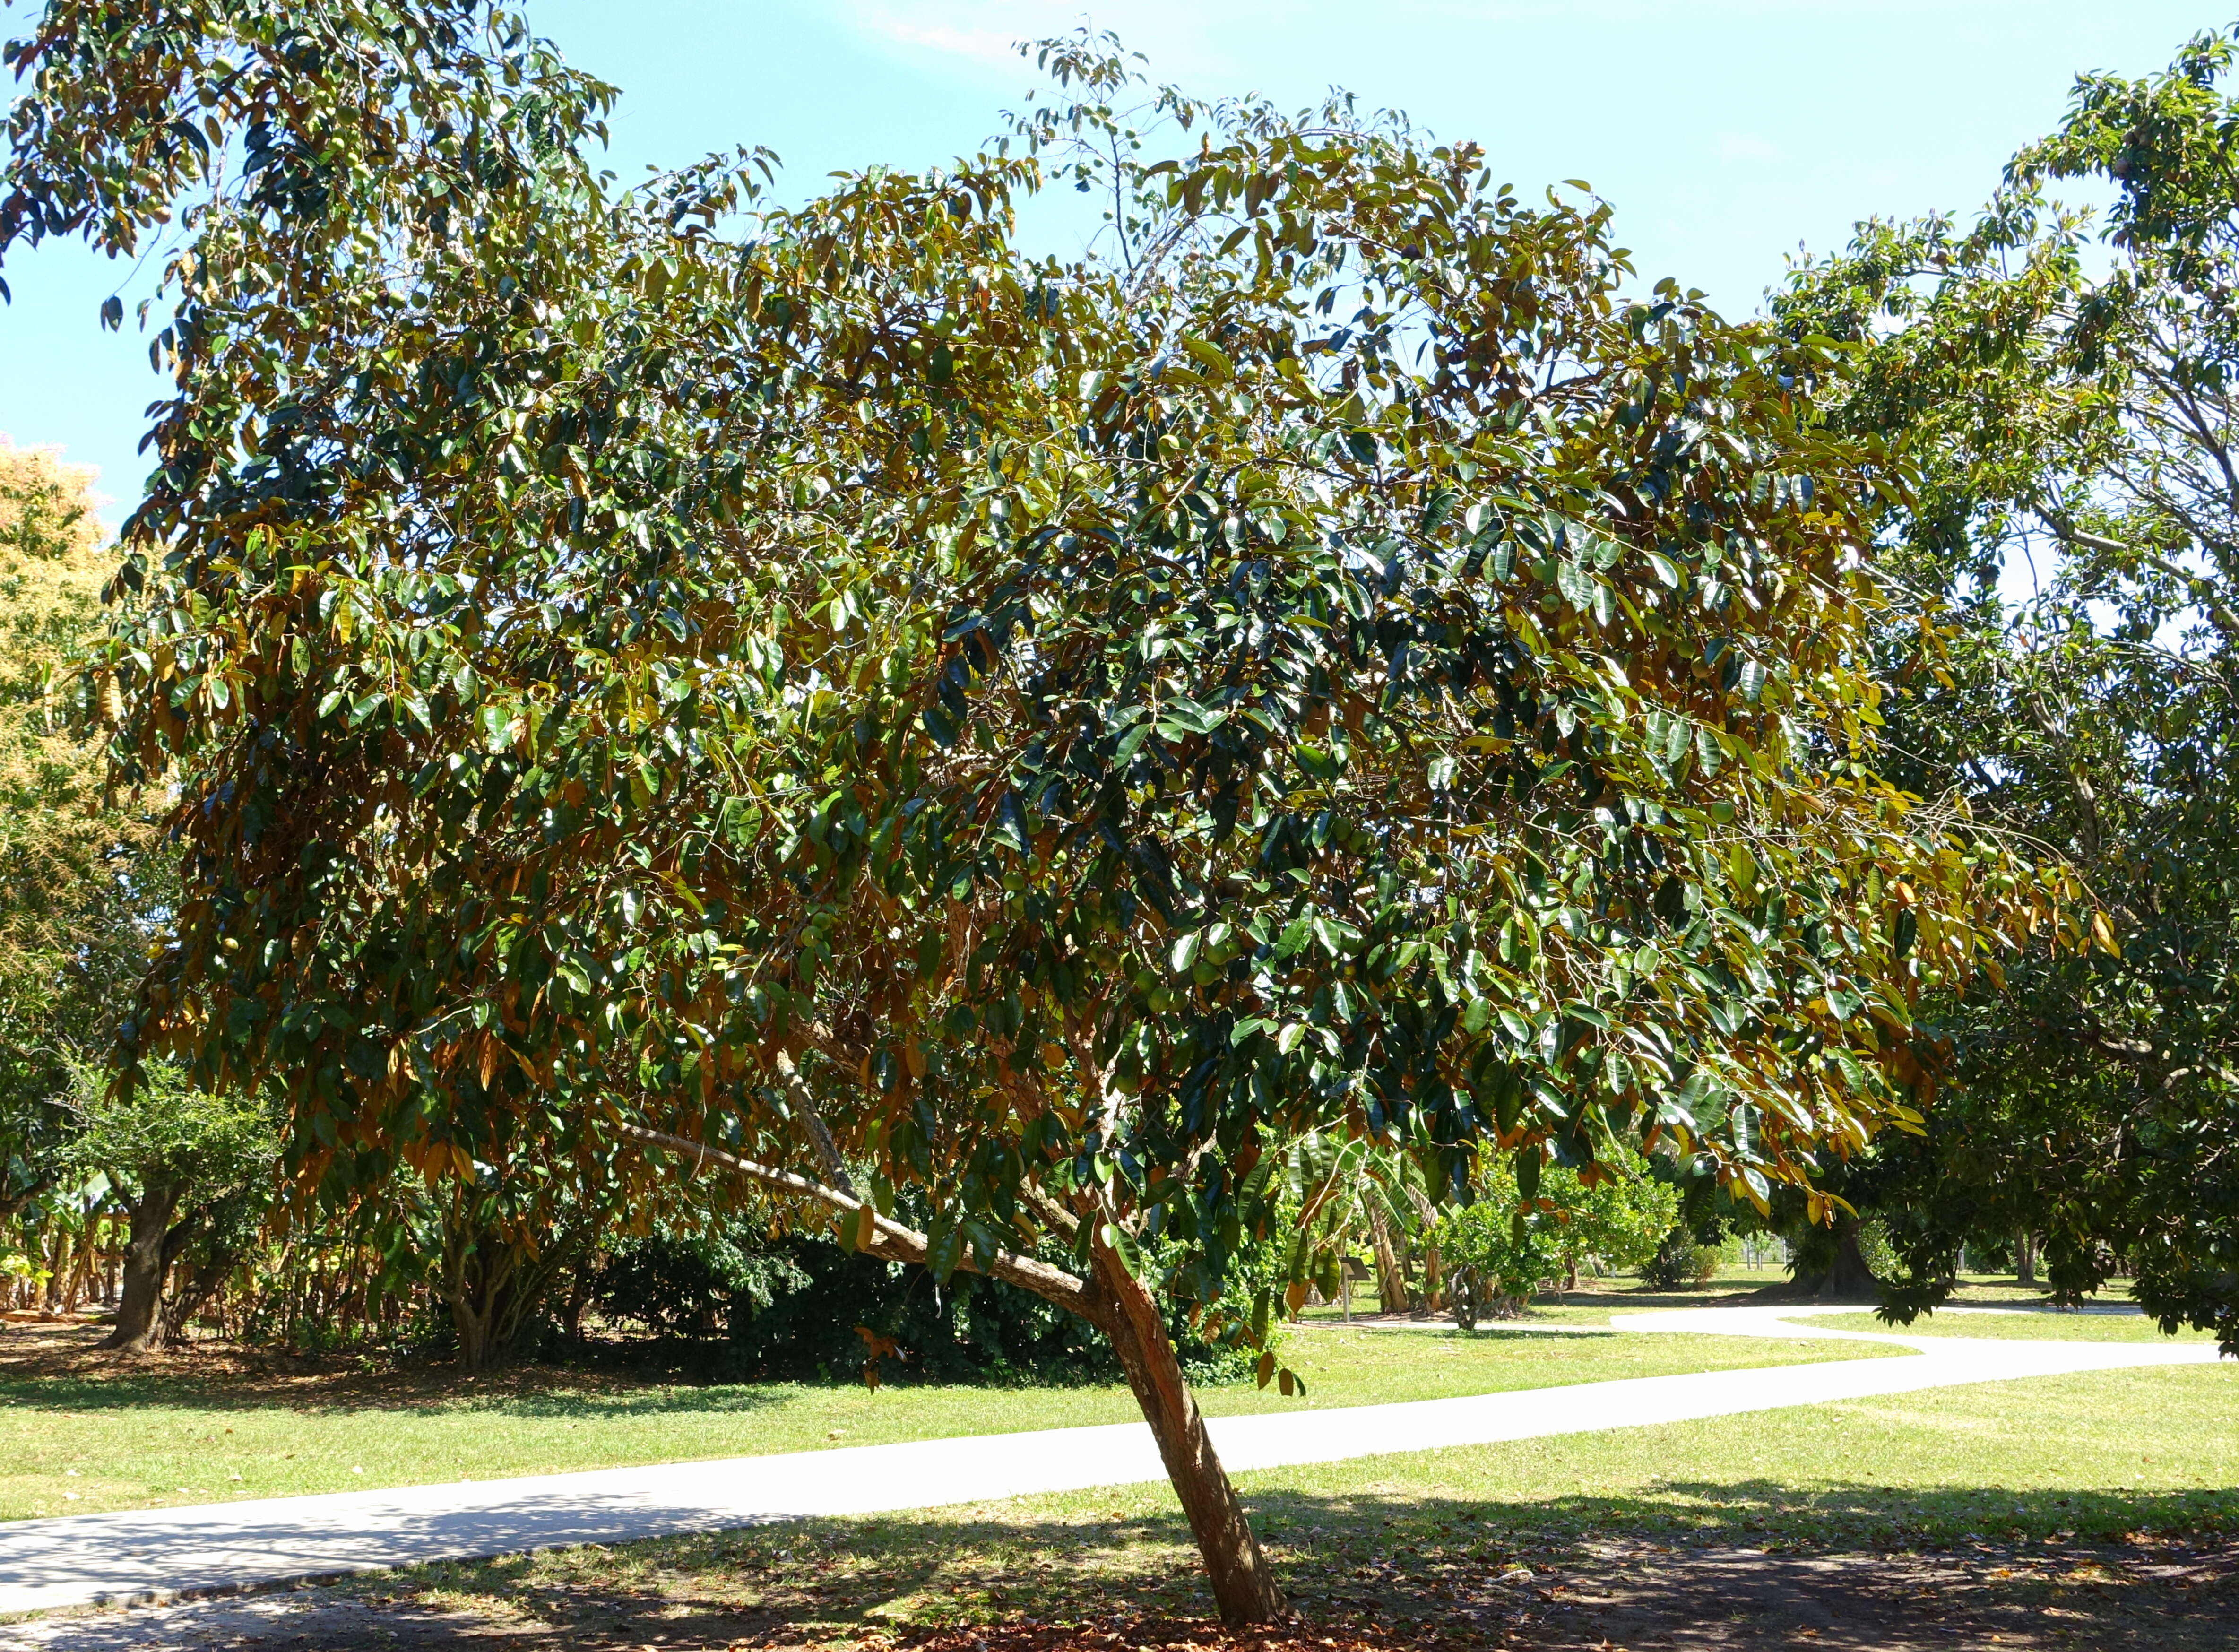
1362	1559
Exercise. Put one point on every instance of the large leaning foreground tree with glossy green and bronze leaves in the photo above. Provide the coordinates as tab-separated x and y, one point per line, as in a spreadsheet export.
827	695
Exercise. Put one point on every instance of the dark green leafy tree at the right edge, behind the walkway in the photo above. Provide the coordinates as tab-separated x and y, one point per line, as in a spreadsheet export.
2068	400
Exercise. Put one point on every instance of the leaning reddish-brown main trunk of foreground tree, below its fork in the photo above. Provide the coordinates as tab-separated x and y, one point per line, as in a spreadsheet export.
1244	1586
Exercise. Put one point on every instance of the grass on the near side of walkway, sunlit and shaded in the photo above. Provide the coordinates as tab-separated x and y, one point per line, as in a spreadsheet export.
2097	1458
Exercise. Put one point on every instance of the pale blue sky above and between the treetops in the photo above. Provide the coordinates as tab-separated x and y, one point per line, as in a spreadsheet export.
1727	133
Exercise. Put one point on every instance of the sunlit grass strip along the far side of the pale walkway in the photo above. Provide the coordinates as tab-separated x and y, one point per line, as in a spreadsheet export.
82	1436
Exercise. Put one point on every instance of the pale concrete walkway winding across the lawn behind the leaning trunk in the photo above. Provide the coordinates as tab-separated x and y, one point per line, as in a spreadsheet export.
171	1552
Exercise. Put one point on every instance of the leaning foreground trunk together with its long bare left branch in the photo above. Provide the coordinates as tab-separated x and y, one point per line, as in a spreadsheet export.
1116	1304
